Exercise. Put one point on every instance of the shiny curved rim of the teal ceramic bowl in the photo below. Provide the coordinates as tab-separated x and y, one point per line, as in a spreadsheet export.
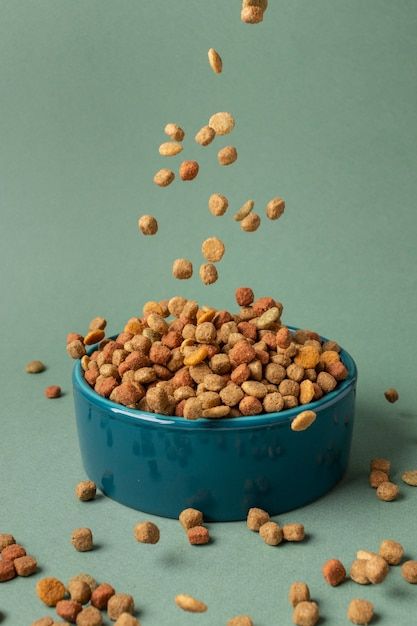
136	416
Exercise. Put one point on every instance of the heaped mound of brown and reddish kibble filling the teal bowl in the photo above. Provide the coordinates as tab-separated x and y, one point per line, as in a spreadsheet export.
209	363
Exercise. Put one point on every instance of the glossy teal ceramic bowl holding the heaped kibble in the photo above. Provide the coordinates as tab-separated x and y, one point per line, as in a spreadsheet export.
162	465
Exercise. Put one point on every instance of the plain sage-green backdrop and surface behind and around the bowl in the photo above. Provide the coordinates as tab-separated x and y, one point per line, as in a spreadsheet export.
324	95
